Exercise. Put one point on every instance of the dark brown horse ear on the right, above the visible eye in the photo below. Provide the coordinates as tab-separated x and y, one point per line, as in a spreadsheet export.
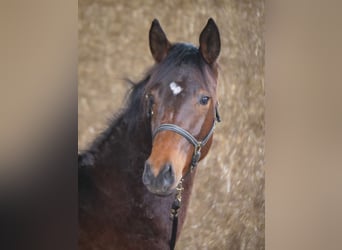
210	43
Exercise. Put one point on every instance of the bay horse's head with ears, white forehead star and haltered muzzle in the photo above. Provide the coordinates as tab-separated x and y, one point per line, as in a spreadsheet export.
181	104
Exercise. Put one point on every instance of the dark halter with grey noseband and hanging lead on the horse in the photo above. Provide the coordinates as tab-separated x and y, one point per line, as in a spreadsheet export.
195	159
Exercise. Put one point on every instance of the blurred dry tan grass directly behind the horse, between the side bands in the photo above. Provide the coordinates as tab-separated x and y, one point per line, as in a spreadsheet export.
227	206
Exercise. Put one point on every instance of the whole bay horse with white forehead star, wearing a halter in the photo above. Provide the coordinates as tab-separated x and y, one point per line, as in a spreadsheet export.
136	178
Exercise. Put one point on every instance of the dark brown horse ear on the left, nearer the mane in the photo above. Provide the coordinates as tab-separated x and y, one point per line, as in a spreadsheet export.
159	45
